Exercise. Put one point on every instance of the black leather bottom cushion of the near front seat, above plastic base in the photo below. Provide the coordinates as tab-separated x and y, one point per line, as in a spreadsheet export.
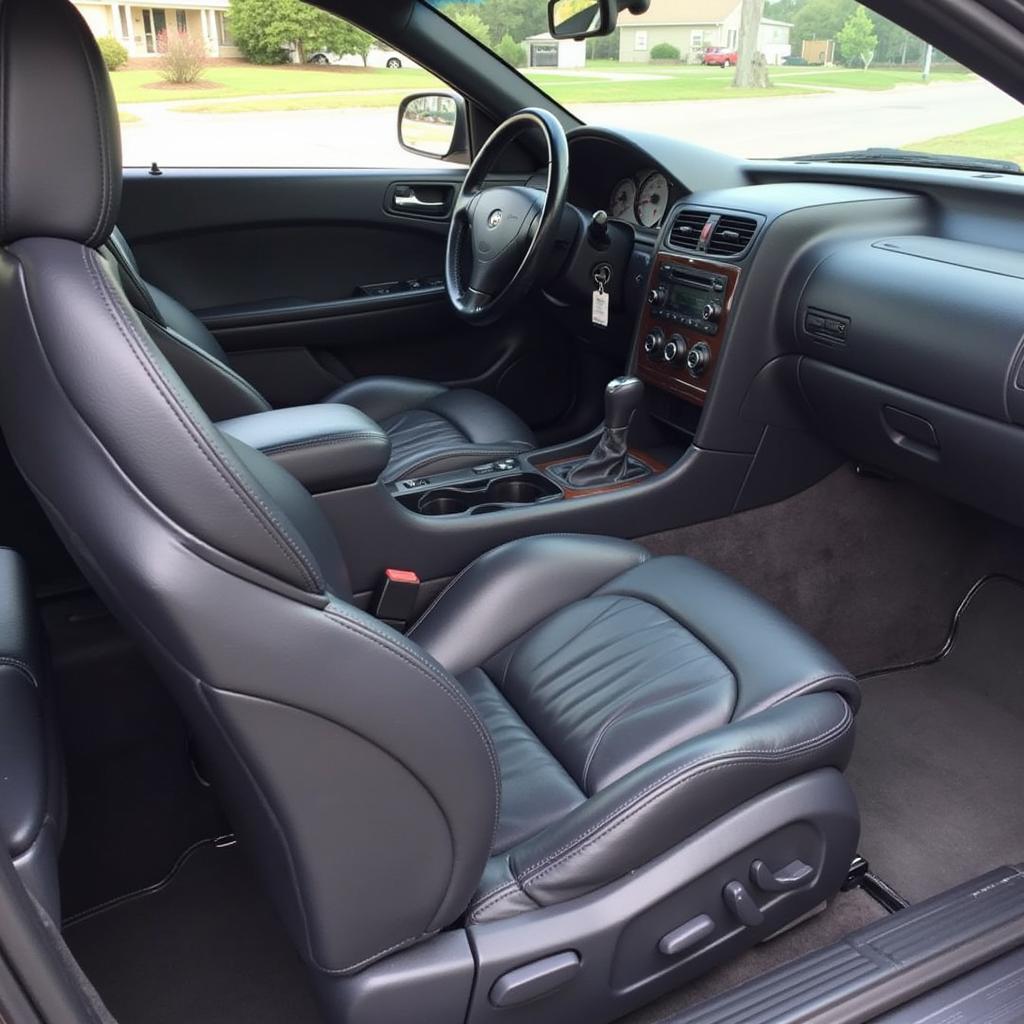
632	702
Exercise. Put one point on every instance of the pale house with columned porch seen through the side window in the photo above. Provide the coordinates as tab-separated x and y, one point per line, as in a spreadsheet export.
140	27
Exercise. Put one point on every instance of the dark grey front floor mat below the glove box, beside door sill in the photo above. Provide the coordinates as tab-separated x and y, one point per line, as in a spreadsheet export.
938	765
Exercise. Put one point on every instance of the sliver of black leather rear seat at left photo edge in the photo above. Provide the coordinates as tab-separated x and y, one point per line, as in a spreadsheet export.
31	770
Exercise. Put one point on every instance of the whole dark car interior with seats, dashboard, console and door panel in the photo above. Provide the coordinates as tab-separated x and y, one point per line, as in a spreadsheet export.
426	598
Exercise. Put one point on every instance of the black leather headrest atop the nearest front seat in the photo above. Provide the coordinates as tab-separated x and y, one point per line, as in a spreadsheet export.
61	142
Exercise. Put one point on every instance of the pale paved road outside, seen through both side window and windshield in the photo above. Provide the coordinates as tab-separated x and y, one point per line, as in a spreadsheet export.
771	127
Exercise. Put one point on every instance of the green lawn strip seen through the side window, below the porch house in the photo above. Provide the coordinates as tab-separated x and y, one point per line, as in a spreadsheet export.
138	87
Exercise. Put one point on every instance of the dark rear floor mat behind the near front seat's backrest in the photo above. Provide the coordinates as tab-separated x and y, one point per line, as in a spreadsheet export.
204	950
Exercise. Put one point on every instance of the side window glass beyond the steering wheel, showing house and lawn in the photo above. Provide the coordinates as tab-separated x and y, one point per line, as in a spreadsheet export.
211	84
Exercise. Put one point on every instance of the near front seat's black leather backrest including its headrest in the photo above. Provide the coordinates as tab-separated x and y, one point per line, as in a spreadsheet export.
353	765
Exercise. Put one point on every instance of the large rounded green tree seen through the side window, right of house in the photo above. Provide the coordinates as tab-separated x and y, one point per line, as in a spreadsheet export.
266	29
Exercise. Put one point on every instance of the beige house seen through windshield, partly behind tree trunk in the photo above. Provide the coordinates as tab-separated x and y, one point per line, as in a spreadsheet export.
693	26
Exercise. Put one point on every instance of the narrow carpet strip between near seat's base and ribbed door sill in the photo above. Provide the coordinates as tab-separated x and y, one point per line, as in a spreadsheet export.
848	913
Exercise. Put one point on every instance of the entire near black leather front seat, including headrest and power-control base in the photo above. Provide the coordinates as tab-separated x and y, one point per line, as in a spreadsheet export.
576	750
